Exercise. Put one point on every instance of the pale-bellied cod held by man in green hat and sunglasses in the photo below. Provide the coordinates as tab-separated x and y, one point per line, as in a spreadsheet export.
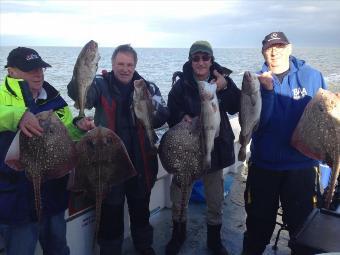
210	118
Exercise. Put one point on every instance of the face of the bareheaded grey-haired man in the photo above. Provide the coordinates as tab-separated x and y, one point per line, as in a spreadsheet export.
123	67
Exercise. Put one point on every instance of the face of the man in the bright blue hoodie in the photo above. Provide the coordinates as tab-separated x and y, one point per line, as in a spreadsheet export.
277	55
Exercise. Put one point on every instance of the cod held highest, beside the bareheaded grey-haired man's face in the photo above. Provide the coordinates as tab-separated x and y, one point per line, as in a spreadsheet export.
84	72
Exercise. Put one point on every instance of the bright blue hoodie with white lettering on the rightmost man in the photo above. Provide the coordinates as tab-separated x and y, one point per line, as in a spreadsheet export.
281	110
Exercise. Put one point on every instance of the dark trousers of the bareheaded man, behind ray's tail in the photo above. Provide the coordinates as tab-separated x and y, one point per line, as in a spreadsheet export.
111	230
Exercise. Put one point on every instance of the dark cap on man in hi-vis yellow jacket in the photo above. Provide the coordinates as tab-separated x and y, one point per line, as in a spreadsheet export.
25	59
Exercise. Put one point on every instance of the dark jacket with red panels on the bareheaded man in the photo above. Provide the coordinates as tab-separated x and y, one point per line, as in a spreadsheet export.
113	110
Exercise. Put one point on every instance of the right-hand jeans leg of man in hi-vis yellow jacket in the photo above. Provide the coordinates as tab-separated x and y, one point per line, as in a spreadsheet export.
52	235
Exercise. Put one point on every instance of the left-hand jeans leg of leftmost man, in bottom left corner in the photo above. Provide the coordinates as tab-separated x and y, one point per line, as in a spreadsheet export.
19	238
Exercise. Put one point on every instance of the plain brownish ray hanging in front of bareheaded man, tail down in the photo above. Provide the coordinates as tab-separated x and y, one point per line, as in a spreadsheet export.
102	163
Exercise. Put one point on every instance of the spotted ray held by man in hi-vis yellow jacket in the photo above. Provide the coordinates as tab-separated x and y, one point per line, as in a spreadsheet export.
49	156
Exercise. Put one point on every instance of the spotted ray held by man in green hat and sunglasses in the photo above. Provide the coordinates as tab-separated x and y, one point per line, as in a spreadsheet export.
181	154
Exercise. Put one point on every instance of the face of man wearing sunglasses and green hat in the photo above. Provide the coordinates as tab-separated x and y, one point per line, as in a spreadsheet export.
201	63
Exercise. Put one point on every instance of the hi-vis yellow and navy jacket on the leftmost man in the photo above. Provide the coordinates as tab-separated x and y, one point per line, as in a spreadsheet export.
16	191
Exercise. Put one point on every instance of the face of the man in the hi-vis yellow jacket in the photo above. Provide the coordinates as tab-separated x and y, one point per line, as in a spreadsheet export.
34	78
